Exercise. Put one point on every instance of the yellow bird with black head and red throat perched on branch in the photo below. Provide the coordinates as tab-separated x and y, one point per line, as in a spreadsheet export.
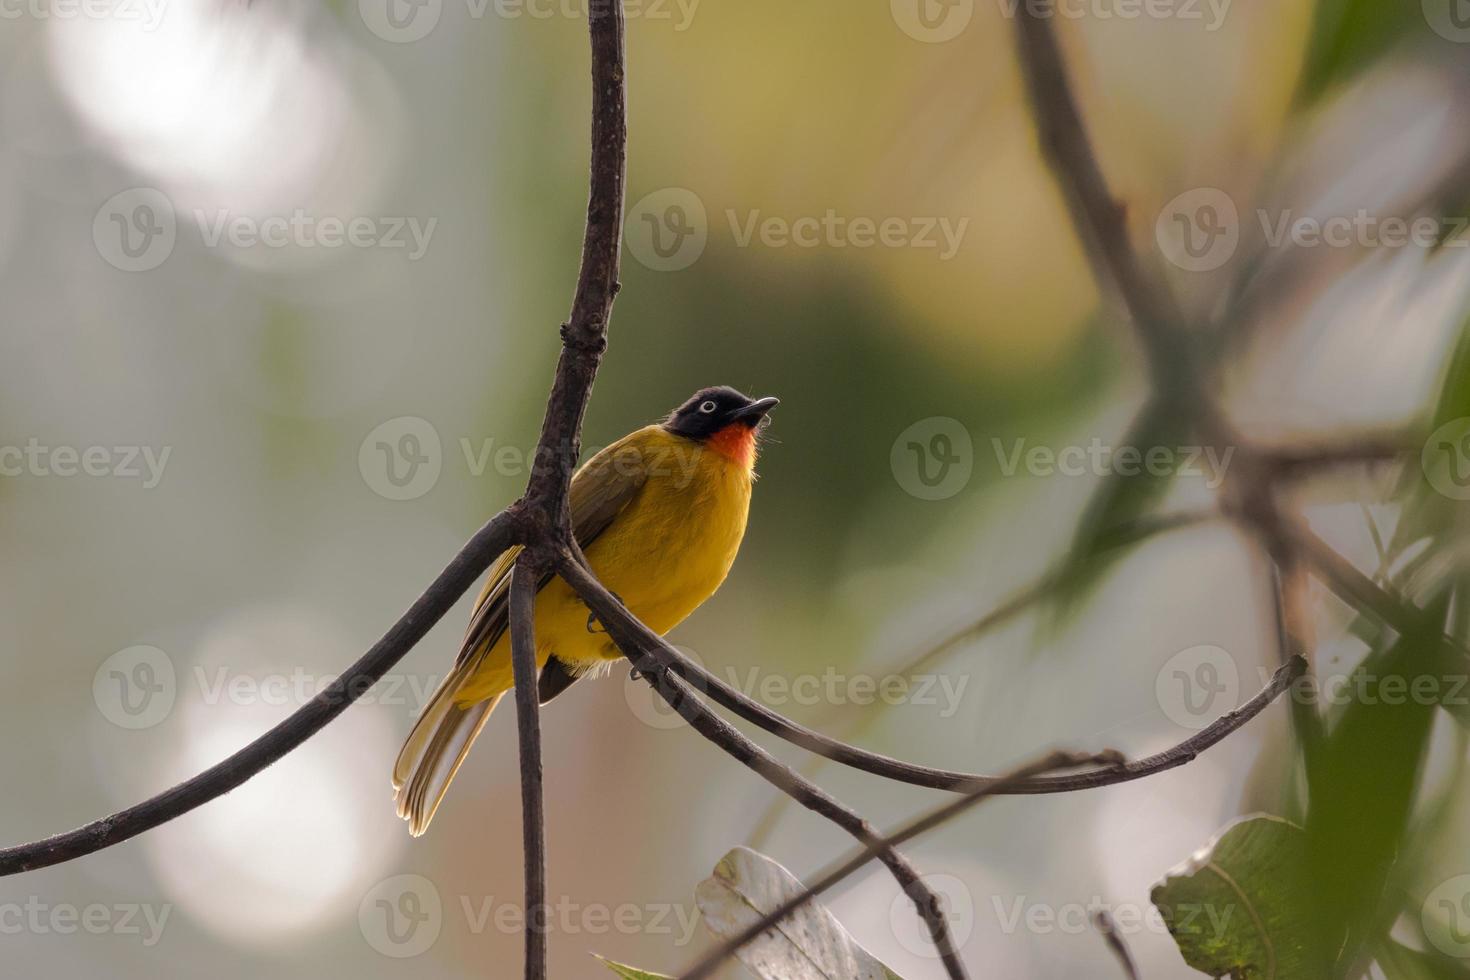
659	515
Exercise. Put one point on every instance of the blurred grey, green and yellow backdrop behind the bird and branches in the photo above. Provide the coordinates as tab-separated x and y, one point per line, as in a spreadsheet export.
282	287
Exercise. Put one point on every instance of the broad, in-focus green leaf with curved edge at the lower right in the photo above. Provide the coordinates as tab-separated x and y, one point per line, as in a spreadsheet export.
1240	907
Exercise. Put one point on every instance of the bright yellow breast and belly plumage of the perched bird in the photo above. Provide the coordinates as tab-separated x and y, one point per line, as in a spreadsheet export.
664	556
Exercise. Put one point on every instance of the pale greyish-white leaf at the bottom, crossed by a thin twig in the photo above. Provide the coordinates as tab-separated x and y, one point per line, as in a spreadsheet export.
806	945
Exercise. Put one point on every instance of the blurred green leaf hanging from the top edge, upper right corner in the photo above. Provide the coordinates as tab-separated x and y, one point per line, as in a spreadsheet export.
1349	36
